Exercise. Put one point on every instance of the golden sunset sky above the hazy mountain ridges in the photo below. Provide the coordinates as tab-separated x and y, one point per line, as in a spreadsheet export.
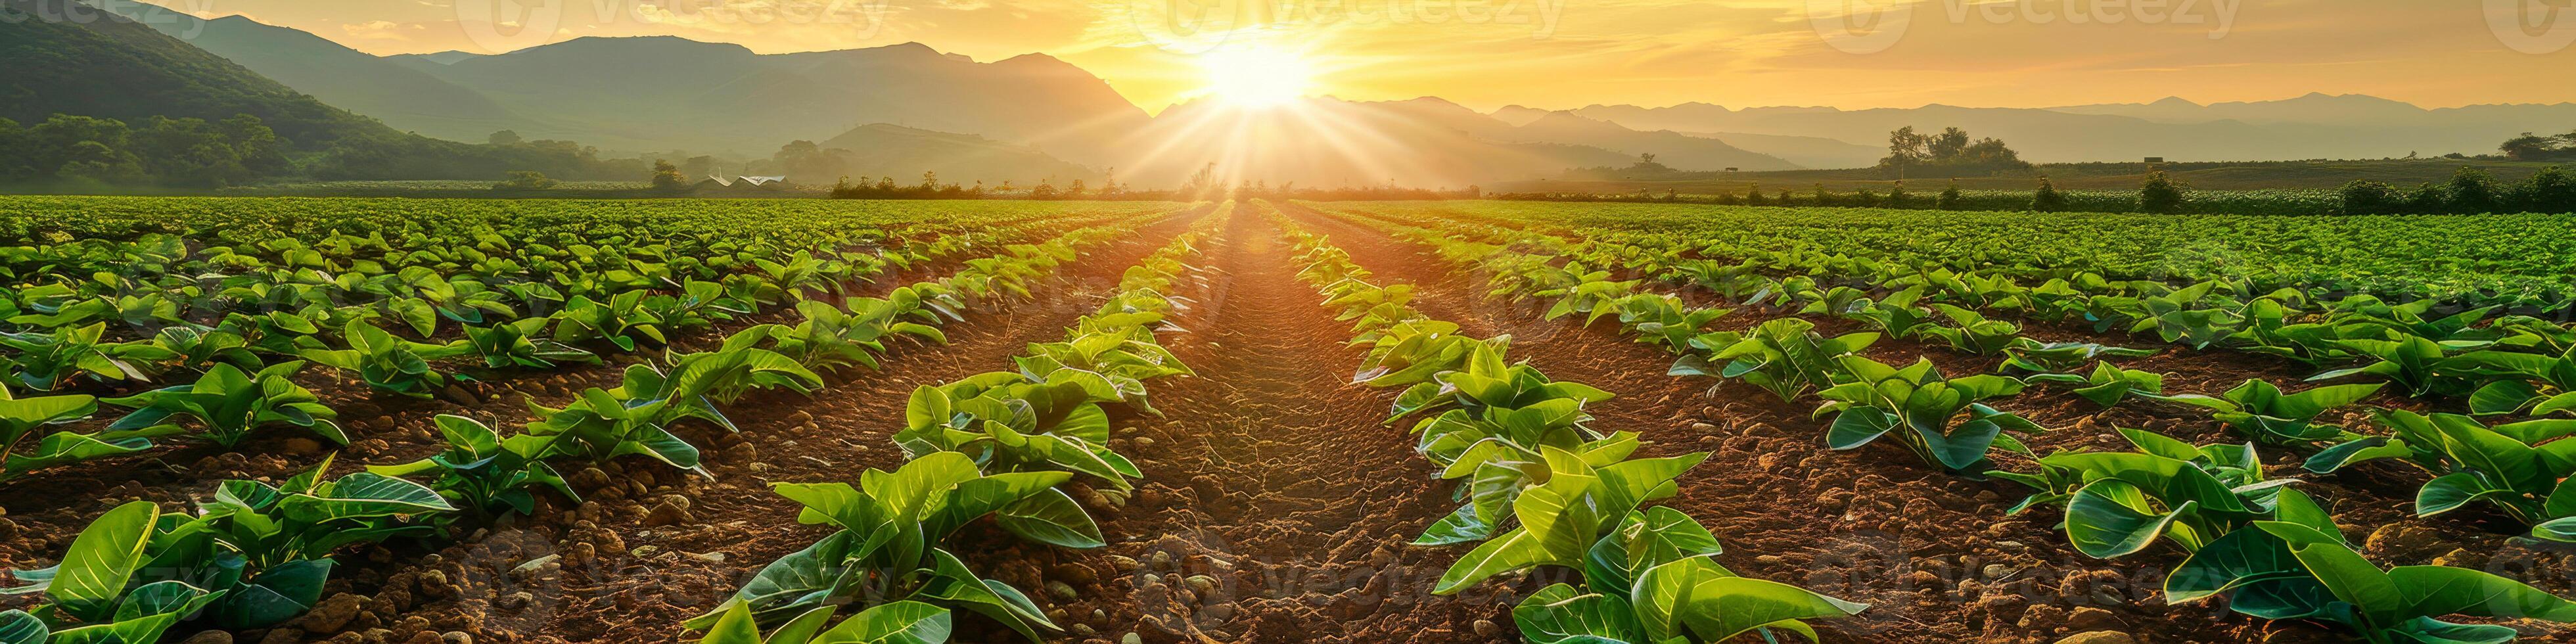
1578	53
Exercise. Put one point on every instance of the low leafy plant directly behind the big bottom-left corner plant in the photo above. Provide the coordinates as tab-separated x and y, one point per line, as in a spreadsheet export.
228	406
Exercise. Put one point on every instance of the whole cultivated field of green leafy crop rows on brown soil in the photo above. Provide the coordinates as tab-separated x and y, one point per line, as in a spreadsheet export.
1276	421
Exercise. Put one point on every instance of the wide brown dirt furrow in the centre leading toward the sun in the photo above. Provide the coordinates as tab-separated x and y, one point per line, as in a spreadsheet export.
1276	509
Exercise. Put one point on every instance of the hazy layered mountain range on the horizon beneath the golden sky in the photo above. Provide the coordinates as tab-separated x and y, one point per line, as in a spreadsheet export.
911	104
